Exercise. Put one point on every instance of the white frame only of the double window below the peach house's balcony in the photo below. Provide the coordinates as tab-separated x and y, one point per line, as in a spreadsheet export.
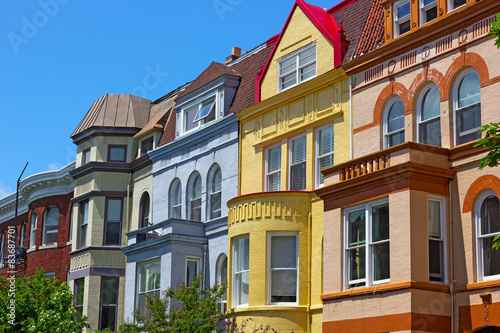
368	280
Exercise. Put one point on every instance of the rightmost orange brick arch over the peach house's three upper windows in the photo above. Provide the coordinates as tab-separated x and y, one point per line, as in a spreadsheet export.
467	60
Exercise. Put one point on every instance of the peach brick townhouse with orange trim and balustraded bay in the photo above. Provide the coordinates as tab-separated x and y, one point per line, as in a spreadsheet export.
409	221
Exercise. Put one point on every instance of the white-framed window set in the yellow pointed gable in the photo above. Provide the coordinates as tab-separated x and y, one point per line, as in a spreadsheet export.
297	67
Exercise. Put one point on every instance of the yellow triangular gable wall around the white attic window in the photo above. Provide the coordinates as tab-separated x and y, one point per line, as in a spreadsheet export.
299	32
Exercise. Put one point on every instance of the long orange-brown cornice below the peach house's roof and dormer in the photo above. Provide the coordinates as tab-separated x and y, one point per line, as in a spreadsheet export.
422	36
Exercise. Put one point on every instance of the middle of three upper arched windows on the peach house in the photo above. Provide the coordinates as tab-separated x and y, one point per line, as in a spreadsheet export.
428	116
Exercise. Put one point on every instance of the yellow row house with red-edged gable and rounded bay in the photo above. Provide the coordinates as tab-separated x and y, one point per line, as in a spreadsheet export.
299	125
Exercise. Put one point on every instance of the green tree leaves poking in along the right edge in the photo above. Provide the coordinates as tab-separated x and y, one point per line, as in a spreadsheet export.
491	139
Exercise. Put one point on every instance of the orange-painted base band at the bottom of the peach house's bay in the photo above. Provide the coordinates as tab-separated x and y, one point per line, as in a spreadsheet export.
391	323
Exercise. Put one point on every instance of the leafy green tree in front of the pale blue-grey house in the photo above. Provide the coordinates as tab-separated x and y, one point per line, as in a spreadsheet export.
187	309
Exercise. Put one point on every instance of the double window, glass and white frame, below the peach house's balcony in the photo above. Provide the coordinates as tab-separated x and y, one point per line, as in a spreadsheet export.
367	245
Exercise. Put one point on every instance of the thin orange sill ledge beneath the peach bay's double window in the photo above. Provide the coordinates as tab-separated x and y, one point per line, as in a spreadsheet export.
386	288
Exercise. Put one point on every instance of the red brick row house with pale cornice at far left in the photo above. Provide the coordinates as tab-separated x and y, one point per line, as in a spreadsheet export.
44	235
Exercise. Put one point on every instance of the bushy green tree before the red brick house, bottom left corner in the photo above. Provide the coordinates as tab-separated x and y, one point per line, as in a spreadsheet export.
37	304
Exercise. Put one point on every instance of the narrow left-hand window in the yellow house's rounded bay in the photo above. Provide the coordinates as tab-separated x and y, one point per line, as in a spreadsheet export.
240	271
